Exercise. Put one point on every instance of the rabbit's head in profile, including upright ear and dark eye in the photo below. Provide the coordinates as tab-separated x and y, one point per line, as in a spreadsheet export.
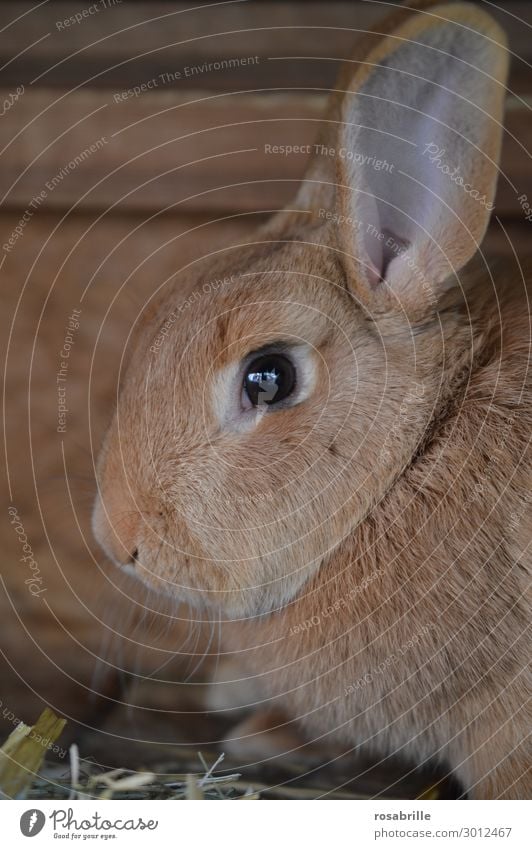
266	412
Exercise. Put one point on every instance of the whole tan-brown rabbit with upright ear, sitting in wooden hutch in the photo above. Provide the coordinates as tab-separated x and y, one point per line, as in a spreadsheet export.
327	442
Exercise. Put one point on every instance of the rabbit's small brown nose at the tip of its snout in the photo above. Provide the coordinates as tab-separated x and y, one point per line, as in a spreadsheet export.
117	532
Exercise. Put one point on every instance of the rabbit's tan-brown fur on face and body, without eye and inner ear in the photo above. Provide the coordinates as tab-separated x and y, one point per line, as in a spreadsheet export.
381	581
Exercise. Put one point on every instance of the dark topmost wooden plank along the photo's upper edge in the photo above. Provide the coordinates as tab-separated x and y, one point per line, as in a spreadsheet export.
130	44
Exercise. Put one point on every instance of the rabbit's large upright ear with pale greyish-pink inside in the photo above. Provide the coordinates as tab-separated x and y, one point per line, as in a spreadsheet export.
416	146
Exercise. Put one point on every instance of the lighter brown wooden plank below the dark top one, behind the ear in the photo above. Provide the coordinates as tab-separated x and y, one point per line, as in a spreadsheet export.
194	151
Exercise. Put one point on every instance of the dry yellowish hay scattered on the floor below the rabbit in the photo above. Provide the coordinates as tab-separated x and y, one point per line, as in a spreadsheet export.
196	777
